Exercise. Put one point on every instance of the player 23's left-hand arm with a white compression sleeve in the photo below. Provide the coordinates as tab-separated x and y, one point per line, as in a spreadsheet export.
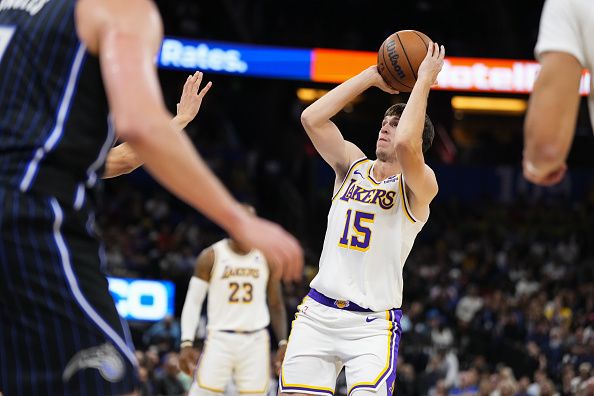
190	316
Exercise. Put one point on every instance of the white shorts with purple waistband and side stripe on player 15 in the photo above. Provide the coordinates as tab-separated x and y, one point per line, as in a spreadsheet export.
324	338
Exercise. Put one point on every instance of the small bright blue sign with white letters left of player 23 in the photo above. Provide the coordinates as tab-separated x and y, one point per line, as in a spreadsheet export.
142	299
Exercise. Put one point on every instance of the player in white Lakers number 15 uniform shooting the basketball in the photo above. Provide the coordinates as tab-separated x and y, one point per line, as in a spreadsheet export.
350	318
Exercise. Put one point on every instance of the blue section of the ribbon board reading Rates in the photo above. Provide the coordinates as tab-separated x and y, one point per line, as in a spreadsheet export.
229	58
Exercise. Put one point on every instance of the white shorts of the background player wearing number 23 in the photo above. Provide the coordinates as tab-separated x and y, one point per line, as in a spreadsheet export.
245	358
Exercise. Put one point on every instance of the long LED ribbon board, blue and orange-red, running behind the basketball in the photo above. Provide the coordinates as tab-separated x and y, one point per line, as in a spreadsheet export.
335	66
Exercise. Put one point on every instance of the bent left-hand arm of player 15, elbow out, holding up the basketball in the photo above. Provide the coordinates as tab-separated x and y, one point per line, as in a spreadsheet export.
324	134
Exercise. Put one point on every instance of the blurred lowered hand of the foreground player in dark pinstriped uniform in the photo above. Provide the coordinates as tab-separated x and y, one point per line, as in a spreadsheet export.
280	248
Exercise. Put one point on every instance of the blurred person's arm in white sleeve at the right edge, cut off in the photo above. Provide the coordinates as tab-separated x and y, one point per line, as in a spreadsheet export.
564	48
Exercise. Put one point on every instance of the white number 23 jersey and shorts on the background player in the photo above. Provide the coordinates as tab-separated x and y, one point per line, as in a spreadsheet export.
237	346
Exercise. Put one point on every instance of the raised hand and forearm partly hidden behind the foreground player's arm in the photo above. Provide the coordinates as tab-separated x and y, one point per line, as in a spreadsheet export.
123	160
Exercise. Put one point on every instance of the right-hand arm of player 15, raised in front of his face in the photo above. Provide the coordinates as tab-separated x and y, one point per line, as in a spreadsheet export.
419	178
